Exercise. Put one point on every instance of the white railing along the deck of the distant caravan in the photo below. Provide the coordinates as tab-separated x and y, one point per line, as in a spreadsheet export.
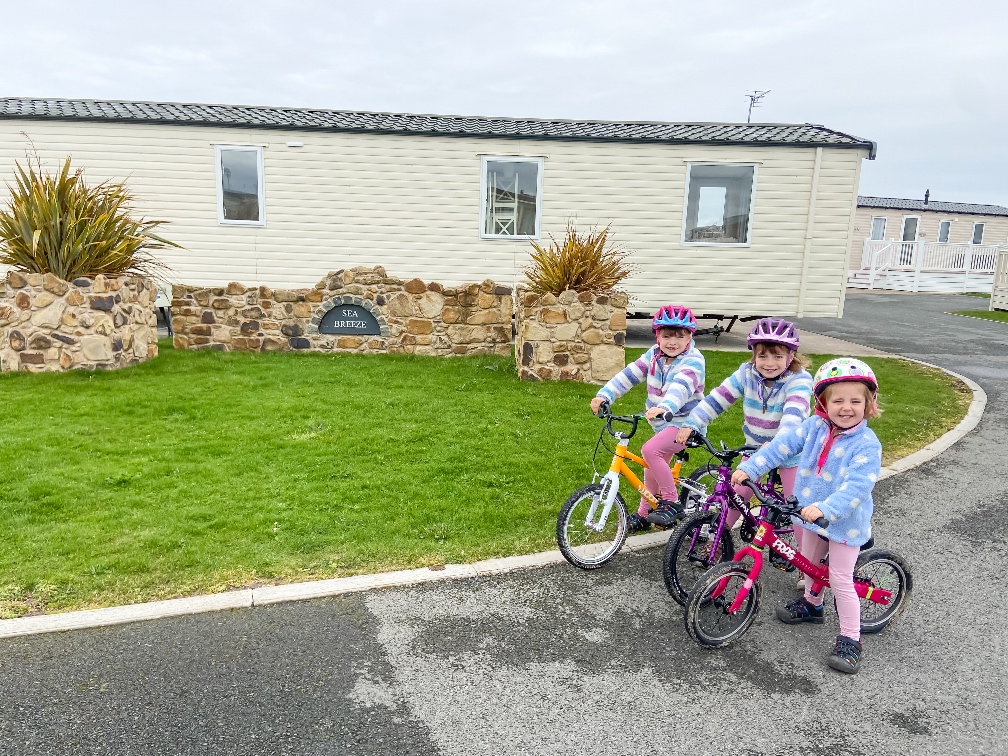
880	258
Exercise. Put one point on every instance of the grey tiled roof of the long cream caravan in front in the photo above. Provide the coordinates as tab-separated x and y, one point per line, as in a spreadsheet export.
334	120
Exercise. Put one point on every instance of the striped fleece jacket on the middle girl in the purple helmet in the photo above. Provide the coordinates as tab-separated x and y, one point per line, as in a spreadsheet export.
766	410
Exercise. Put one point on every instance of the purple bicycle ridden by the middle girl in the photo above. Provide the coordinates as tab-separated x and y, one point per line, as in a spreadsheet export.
703	539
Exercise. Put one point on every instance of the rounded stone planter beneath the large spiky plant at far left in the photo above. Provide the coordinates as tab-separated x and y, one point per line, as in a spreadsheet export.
48	324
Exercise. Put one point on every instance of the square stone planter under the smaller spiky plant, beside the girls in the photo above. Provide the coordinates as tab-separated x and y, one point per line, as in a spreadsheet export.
571	337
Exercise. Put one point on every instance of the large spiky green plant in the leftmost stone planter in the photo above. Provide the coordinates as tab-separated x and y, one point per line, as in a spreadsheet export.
60	225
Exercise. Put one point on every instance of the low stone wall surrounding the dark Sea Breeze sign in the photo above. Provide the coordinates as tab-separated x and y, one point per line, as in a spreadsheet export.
416	318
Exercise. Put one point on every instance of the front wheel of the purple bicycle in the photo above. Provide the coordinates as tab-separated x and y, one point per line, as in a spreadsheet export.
687	560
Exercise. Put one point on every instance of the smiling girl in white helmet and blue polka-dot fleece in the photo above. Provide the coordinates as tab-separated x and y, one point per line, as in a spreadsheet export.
841	460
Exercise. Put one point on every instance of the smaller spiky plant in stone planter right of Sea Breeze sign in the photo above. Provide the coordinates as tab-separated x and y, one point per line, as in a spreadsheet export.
583	263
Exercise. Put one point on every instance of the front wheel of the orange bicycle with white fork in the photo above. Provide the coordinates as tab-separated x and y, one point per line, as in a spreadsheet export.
582	542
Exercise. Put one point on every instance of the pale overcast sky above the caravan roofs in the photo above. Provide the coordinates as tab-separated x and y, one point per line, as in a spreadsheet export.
925	80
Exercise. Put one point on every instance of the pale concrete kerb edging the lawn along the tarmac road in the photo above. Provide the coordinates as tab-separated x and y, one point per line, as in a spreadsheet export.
90	618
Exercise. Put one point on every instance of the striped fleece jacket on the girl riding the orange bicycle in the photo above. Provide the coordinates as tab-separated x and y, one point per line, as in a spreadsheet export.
676	386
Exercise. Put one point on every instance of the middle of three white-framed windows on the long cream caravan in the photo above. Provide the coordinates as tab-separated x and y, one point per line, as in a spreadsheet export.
513	198
